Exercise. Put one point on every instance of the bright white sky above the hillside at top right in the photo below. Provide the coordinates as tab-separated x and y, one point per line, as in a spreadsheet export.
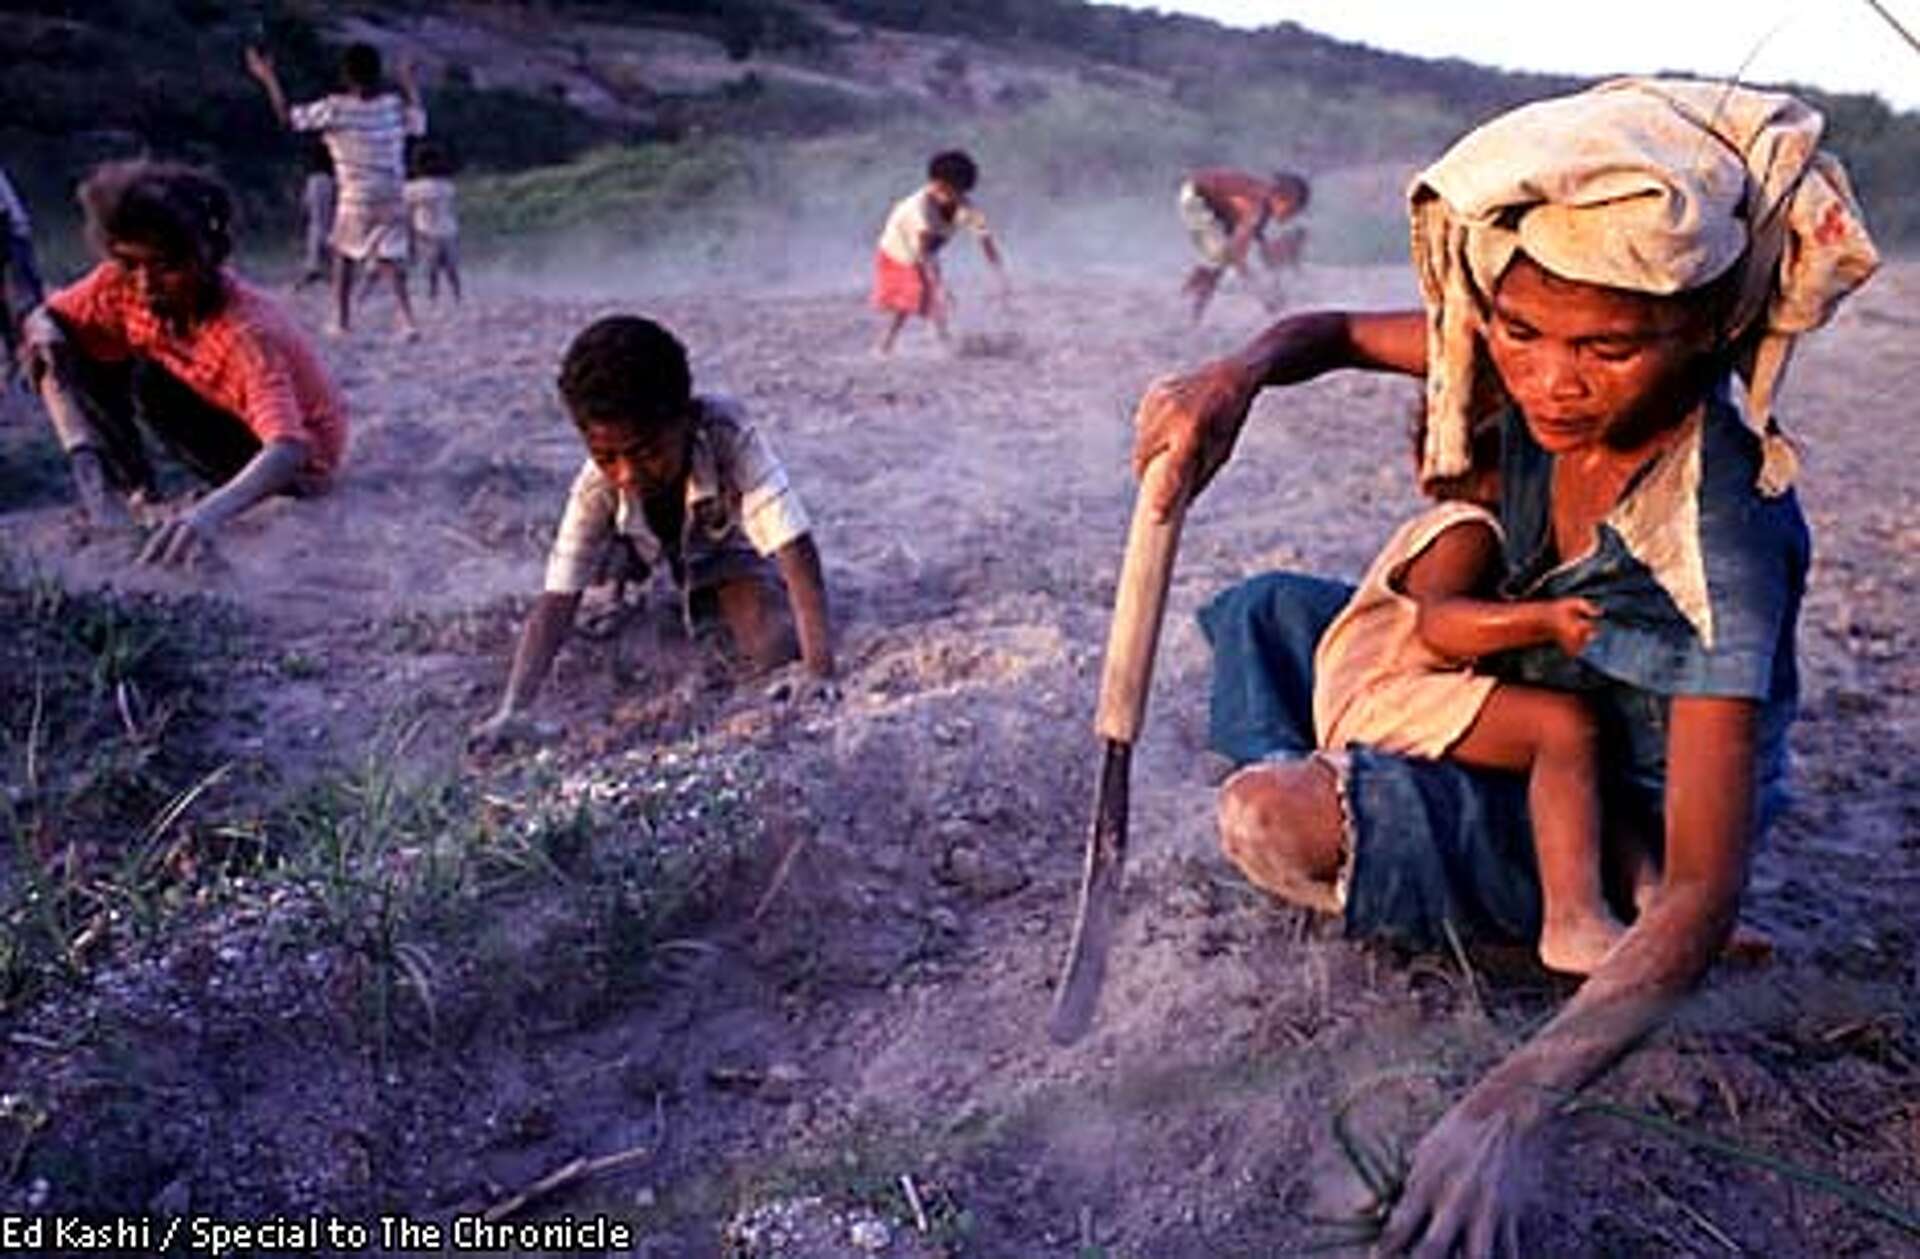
1836	45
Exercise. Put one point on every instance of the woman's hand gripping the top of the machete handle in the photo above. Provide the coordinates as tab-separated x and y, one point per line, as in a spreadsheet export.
1193	419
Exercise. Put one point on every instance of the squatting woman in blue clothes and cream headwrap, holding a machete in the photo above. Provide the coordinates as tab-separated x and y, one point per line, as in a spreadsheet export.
1637	298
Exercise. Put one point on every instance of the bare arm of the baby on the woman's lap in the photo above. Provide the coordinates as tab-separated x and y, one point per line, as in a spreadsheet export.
1447	582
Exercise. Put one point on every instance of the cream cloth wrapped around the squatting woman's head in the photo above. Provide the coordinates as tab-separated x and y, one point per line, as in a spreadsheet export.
1644	185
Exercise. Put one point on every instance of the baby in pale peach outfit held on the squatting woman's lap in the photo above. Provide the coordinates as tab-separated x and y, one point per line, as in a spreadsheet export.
1395	671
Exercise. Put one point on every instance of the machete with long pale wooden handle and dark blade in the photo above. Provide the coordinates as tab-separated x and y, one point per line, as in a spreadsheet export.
1140	604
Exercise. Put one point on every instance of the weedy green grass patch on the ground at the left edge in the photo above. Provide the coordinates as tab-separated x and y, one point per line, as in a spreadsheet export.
120	822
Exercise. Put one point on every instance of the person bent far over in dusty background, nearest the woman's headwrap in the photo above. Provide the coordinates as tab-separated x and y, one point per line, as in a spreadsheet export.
1226	214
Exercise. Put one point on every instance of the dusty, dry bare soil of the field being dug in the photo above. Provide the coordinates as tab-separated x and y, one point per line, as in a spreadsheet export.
857	993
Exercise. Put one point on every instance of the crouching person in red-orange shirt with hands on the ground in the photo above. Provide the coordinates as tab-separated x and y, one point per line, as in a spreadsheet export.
162	335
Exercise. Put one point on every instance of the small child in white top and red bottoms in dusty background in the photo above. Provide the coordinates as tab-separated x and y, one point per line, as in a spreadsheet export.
907	273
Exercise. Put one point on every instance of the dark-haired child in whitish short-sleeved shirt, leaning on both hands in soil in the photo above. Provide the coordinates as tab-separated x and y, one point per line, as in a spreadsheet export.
681	481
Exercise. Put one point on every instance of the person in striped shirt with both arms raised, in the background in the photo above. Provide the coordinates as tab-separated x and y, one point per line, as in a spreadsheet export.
366	131
